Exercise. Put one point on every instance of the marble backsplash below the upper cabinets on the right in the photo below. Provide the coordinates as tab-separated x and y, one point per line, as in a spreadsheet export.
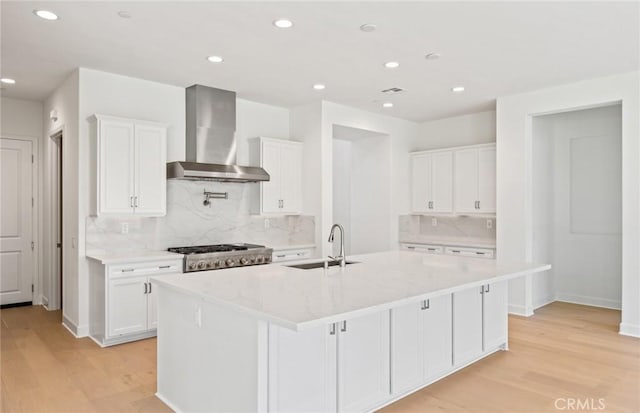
458	230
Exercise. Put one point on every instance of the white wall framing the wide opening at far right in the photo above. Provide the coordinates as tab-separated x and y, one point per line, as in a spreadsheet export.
514	199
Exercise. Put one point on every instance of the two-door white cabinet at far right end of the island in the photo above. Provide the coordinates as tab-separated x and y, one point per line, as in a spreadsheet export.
480	321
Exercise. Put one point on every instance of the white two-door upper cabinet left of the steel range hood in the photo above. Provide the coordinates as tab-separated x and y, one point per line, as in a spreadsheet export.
130	159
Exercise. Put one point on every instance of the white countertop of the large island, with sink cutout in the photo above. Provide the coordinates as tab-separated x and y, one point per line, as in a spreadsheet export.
300	299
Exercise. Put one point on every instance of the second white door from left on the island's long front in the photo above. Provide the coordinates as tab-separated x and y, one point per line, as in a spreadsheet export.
363	362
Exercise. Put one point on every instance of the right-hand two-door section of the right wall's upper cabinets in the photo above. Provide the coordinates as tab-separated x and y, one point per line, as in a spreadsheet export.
475	180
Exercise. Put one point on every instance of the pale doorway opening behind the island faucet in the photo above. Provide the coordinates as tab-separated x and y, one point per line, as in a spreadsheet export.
361	188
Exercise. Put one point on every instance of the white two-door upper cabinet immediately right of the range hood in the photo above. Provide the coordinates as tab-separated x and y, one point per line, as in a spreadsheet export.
282	159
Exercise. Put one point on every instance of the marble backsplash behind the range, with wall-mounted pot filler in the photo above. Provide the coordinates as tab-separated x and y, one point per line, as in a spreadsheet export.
190	222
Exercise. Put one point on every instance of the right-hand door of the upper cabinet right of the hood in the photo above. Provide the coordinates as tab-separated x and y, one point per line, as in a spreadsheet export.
291	180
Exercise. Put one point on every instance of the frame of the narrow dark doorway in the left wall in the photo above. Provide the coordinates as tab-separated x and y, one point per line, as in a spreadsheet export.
53	215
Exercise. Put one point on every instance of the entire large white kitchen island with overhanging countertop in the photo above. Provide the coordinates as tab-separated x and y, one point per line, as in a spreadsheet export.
279	339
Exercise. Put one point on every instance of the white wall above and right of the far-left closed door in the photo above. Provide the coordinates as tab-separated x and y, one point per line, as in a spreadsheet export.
23	119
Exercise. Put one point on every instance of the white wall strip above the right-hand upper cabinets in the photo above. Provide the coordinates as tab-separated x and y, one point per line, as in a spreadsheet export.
464	130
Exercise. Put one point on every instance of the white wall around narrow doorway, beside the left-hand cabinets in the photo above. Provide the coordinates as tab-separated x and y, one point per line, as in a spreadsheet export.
65	100
